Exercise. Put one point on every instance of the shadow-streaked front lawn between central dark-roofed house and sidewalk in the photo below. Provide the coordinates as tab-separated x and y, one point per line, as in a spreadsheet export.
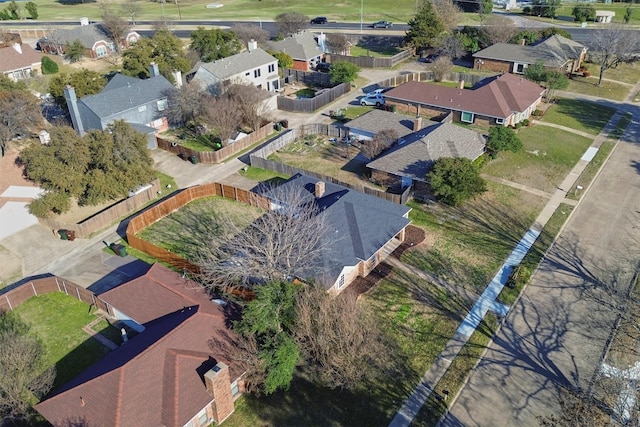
466	246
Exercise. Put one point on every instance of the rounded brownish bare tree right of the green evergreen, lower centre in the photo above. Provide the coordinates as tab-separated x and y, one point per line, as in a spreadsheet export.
339	338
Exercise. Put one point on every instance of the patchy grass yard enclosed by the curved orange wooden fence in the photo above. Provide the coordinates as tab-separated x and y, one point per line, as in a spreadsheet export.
186	230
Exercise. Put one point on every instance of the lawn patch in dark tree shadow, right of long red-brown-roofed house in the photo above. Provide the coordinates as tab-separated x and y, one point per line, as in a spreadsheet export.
584	116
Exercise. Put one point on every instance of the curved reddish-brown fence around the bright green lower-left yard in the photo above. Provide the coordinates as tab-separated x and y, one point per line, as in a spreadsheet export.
13	297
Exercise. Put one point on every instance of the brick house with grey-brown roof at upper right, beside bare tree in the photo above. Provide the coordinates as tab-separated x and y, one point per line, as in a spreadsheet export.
556	53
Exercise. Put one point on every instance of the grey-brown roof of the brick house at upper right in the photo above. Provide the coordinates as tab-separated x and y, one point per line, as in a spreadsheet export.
553	51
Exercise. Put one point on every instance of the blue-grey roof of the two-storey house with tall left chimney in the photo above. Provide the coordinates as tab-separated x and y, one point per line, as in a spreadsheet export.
123	93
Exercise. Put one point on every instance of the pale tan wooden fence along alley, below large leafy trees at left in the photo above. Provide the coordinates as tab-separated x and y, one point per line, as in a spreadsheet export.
110	215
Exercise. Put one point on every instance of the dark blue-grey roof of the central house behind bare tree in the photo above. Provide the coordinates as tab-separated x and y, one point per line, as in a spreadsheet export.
361	224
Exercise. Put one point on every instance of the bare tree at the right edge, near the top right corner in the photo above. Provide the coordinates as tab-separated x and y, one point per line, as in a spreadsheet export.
614	46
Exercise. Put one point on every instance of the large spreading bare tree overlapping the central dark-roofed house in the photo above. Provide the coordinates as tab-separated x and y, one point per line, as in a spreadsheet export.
287	241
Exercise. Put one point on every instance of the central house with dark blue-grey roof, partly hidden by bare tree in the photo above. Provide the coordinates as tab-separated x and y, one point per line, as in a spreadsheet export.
364	230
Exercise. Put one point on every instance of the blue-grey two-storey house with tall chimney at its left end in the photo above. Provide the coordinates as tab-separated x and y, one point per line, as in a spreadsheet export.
140	102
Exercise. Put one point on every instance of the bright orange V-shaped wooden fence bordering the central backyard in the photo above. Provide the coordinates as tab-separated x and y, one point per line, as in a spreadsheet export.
175	202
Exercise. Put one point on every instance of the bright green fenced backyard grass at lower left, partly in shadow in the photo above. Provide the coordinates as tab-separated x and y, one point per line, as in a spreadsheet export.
57	320
